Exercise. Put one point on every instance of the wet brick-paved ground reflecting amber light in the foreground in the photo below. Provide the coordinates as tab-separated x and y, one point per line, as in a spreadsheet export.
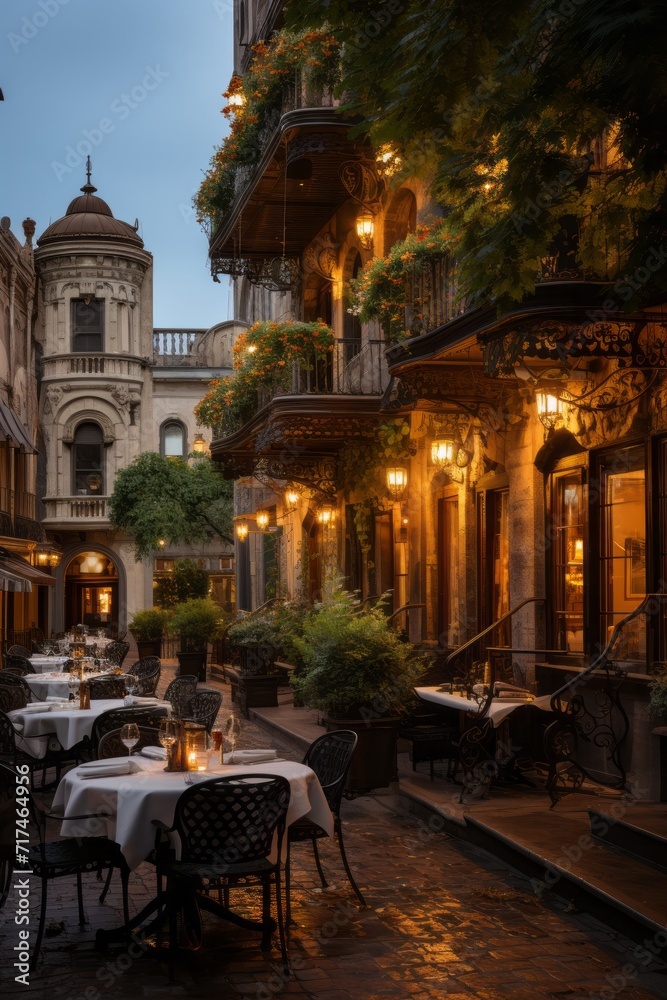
444	920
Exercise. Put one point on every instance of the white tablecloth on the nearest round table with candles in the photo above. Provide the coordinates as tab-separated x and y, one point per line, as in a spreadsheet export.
133	801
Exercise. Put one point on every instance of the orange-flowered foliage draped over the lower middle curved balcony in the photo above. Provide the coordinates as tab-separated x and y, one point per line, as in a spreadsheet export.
263	357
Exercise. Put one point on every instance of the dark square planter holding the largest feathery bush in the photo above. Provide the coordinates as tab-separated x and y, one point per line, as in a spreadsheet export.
374	763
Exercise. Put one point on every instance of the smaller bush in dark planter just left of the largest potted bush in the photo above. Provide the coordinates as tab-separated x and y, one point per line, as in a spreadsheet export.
256	685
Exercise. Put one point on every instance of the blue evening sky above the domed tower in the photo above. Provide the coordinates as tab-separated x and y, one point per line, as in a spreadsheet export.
152	71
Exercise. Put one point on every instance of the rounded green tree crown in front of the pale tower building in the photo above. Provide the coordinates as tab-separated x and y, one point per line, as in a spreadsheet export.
157	498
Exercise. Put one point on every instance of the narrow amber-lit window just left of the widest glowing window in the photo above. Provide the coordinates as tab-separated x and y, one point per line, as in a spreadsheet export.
567	518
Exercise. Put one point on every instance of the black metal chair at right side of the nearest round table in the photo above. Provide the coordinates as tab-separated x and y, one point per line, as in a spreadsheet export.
330	757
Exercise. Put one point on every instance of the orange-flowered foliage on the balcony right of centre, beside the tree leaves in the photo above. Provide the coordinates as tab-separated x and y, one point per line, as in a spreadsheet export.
385	285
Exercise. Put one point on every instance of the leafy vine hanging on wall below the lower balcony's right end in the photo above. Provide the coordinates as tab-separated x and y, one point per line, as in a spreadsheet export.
361	473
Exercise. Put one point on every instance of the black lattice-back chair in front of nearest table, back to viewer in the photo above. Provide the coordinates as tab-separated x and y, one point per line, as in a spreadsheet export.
227	828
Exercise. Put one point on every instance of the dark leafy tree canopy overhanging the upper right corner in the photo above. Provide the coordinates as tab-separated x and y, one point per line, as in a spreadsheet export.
500	106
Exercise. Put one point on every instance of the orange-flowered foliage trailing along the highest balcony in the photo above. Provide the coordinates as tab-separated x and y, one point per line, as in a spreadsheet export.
254	102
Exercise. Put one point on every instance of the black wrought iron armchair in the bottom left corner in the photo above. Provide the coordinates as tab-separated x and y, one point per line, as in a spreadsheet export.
57	859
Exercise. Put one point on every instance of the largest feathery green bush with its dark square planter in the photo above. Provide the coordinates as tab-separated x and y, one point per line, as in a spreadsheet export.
360	674
